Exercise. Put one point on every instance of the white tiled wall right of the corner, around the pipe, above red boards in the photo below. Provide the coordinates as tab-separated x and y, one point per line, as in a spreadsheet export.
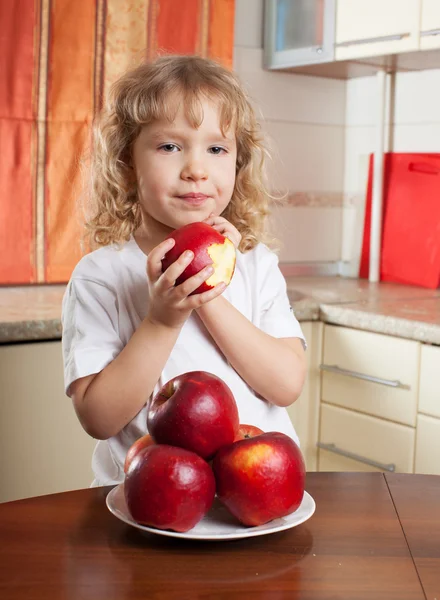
413	125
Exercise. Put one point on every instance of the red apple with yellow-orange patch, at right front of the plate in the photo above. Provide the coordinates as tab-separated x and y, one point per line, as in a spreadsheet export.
261	478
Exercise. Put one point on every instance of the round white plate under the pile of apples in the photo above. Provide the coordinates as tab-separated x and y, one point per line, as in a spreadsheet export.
218	524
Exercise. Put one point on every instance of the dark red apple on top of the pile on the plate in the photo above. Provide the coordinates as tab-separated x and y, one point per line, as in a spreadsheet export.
196	411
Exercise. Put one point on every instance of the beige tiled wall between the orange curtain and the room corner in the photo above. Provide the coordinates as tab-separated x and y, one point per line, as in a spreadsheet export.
305	119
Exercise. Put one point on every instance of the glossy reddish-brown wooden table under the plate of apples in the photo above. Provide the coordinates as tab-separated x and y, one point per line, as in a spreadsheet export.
372	536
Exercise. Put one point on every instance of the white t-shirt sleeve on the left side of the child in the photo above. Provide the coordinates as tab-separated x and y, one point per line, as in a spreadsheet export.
90	338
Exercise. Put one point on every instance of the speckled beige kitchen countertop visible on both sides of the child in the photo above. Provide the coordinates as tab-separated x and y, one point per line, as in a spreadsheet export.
33	312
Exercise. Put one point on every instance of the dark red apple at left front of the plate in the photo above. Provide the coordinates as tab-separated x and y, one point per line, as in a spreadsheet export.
168	488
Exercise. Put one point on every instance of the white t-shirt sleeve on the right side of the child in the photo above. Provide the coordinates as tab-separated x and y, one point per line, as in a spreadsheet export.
277	316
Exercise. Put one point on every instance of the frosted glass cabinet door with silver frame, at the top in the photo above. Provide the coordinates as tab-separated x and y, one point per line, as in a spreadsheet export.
298	32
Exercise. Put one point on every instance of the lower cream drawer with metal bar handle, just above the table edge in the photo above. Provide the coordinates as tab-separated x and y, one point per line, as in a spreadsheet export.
365	437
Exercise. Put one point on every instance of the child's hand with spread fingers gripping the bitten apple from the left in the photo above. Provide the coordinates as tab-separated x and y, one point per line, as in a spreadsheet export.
171	305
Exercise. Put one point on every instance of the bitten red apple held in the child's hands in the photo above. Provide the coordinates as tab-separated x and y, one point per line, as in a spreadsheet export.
210	248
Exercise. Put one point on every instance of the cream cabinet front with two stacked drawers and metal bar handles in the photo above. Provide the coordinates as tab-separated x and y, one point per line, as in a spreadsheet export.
369	392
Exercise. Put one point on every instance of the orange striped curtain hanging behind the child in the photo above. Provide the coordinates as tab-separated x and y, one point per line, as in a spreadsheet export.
57	61
